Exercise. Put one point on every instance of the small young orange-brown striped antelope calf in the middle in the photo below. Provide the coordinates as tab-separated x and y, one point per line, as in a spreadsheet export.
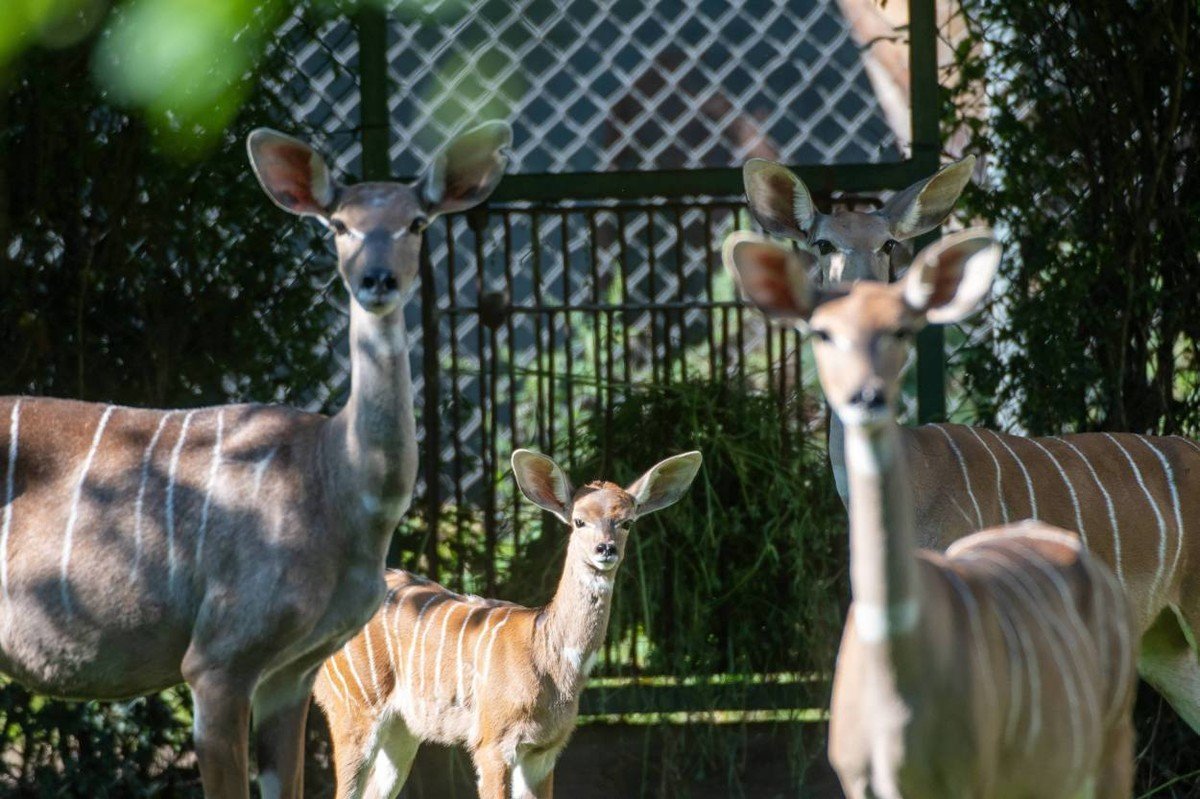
502	680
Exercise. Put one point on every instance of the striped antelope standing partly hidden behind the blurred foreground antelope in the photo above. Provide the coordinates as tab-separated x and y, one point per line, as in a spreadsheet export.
1127	496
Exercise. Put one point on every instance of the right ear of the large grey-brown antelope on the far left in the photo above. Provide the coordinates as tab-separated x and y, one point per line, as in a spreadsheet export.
467	170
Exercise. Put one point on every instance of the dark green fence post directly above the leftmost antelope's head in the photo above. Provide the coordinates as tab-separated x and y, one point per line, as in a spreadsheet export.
373	25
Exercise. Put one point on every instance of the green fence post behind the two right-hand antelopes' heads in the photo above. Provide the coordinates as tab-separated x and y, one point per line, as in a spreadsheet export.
927	147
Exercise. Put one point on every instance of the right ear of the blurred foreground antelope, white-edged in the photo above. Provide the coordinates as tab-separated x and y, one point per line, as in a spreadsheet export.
950	279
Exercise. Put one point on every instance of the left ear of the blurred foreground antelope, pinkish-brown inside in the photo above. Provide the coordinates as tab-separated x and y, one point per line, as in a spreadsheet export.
776	279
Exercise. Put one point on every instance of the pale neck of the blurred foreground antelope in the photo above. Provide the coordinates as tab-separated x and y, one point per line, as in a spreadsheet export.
883	536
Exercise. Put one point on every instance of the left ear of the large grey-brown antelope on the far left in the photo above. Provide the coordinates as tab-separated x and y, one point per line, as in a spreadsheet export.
293	175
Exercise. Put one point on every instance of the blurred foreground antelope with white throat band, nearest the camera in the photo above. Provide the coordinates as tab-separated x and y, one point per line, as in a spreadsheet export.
1005	668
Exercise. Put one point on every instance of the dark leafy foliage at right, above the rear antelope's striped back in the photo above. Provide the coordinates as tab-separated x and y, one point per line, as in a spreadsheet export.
1091	133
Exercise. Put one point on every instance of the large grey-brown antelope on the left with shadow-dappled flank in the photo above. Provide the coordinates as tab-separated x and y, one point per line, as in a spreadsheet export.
232	548
